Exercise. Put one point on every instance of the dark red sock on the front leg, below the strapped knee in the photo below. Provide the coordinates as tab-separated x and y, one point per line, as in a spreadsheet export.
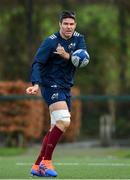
53	139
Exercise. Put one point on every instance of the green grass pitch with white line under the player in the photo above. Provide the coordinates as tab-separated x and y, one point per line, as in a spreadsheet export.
71	163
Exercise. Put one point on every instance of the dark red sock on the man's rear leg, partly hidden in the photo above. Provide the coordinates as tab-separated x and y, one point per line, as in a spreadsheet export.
43	149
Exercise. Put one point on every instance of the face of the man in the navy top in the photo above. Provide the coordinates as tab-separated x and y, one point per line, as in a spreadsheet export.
67	27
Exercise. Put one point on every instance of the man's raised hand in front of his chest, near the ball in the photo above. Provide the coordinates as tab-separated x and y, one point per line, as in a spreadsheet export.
61	51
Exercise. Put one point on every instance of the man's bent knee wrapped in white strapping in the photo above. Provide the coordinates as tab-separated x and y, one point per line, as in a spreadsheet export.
62	118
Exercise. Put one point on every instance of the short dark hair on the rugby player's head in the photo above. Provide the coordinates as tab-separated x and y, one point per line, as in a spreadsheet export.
67	14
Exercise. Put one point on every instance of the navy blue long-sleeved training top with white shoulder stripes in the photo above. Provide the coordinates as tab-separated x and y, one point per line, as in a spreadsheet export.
52	70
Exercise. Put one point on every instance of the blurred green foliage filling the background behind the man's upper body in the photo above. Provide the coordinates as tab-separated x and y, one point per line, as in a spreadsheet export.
98	22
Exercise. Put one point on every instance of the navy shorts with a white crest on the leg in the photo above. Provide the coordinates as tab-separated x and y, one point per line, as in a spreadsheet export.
52	95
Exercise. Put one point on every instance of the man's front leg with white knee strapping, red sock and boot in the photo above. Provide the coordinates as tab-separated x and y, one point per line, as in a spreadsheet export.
60	113
